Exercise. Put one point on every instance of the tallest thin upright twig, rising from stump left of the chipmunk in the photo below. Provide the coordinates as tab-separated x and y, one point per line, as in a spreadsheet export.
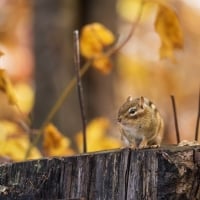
80	87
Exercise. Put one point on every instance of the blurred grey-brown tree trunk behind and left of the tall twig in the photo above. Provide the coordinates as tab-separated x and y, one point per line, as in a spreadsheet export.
54	23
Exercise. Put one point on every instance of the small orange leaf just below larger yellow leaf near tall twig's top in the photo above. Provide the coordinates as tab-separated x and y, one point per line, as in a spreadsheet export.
103	64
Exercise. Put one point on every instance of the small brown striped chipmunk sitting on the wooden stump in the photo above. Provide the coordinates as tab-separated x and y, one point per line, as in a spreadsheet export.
140	123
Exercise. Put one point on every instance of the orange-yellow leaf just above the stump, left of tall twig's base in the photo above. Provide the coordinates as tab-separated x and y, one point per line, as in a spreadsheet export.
54	143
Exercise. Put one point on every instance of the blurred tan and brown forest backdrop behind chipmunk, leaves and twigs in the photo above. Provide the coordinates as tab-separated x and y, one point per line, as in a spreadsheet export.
37	44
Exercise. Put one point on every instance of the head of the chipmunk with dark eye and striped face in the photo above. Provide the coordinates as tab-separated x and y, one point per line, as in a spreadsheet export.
132	112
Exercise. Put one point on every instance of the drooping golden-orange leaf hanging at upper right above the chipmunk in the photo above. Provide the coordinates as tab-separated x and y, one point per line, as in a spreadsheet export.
168	27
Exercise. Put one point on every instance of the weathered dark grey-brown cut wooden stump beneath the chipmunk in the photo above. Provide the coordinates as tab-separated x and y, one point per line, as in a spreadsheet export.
163	173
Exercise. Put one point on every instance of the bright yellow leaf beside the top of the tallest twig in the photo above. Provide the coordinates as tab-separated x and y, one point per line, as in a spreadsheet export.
94	38
